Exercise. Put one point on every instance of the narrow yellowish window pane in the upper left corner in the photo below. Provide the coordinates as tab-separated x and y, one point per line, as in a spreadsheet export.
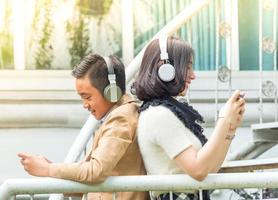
6	36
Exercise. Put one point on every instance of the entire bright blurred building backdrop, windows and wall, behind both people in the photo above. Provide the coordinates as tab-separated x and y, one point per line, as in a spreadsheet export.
42	40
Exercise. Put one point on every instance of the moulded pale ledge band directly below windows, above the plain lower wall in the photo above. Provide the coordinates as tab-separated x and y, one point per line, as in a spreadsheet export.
48	98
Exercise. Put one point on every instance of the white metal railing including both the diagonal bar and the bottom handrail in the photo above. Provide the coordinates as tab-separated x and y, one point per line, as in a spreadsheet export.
10	188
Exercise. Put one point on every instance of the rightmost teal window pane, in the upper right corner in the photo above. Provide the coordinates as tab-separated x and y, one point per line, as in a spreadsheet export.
249	35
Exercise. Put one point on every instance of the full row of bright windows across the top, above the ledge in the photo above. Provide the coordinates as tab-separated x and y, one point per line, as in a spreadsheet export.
55	34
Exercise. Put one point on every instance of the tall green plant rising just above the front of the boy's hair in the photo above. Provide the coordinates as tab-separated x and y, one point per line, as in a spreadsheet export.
78	36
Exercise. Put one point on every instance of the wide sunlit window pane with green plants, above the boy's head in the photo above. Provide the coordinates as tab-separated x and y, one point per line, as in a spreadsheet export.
60	33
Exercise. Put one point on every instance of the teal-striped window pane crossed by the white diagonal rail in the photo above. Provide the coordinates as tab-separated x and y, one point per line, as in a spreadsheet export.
154	14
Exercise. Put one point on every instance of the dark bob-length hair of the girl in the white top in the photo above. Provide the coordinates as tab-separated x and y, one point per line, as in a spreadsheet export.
148	85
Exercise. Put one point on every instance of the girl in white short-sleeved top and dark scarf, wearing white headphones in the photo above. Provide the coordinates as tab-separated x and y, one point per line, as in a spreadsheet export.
169	135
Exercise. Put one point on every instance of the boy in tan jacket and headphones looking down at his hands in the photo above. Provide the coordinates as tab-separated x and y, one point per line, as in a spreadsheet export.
115	151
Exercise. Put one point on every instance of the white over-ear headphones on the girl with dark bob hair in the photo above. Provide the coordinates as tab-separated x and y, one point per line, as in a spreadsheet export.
166	72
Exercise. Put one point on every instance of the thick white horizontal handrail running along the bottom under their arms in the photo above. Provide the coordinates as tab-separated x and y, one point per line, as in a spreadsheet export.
13	187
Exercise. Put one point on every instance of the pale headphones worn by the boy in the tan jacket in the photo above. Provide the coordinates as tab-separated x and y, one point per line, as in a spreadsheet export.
111	92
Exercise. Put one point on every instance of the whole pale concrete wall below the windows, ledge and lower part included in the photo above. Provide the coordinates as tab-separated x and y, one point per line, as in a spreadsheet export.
41	113
